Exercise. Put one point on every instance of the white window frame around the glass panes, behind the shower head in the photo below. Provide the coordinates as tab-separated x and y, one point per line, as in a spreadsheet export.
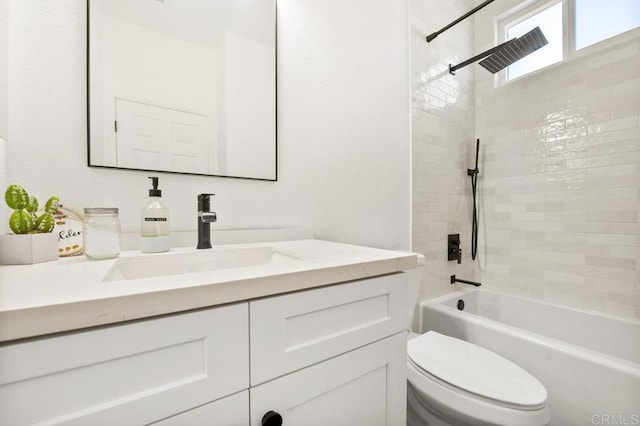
529	8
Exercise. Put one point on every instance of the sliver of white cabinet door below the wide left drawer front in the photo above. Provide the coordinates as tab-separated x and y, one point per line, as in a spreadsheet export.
230	411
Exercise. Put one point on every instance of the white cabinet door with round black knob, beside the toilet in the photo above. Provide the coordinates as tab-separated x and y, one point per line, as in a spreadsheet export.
364	387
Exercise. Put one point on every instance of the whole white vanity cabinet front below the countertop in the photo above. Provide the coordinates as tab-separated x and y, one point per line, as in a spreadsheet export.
329	355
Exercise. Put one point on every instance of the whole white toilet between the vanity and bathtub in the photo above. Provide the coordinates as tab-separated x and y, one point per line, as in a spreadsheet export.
454	382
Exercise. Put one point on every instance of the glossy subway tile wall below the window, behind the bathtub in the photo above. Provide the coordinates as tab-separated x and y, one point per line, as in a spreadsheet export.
560	181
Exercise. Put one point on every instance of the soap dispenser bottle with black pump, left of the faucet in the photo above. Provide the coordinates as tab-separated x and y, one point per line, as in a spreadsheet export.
155	222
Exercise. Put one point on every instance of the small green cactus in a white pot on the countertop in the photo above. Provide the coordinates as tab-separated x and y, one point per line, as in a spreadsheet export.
32	240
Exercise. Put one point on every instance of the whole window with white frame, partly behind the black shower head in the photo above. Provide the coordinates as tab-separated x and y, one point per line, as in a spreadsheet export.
568	25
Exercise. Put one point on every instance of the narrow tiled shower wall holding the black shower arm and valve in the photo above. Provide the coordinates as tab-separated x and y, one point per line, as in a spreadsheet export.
443	128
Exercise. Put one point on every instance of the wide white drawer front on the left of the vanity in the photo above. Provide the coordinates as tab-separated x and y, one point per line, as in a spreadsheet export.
129	374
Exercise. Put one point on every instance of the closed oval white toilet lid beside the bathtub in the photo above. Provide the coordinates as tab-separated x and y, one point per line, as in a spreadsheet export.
476	370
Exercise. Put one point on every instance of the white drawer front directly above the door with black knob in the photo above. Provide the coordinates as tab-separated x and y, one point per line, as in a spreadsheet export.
296	330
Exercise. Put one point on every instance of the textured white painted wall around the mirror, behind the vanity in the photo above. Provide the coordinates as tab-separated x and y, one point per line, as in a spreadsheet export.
343	109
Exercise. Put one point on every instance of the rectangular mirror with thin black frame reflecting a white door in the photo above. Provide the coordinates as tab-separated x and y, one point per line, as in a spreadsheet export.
185	86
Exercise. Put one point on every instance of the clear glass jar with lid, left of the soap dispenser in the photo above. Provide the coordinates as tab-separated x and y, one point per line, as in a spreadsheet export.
101	229
